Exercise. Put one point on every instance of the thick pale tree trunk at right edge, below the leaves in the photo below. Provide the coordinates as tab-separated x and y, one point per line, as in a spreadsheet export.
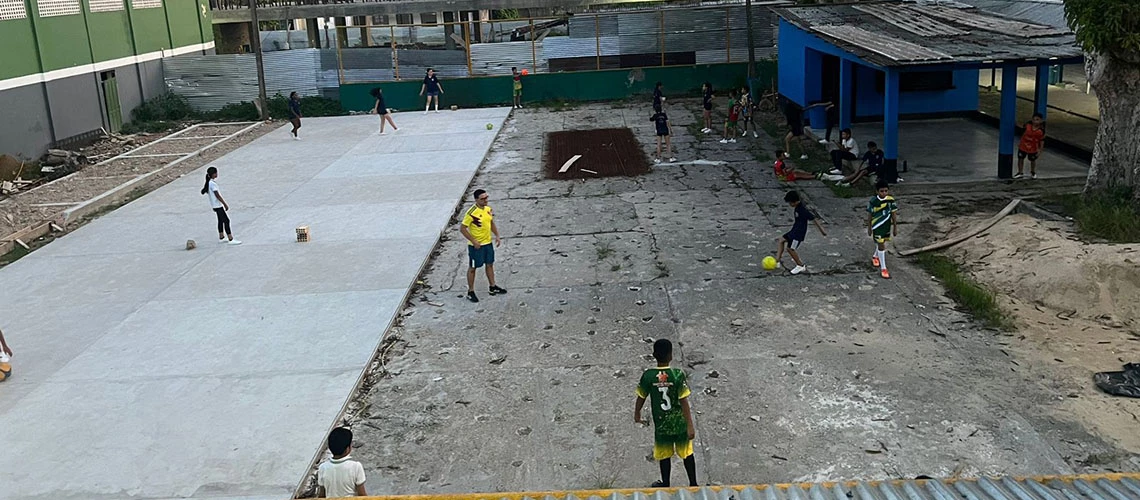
1117	153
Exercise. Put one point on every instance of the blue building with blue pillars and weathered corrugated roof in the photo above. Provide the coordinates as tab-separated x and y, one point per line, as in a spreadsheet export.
886	61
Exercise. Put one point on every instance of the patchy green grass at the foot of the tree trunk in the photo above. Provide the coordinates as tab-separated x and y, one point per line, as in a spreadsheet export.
1110	217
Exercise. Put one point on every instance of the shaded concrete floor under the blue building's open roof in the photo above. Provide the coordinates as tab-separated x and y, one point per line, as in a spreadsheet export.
959	151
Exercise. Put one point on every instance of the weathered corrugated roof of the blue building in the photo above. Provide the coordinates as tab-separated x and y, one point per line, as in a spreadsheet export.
984	36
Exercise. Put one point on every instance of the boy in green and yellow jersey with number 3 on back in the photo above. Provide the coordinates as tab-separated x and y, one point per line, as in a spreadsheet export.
673	422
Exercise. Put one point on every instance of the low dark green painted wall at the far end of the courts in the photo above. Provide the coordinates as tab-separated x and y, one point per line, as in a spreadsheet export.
577	86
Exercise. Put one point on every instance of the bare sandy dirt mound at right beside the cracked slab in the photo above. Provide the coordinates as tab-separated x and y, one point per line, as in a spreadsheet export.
1077	306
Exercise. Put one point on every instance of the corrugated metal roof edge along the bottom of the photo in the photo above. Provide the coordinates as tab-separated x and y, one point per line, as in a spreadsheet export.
1109	487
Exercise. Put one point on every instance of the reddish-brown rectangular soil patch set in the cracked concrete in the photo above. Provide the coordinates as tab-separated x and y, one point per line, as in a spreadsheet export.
605	153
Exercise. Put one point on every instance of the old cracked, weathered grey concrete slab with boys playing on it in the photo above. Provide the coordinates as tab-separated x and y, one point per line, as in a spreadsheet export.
833	375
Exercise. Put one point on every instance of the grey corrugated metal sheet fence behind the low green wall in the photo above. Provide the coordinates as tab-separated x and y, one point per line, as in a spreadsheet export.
674	37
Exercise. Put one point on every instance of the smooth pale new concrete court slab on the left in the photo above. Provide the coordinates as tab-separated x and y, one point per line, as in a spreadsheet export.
145	371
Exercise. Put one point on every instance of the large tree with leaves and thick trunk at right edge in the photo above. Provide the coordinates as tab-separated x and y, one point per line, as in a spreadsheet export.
1110	34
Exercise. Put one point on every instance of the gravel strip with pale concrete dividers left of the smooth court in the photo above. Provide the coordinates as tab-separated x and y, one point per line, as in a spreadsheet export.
27	209
